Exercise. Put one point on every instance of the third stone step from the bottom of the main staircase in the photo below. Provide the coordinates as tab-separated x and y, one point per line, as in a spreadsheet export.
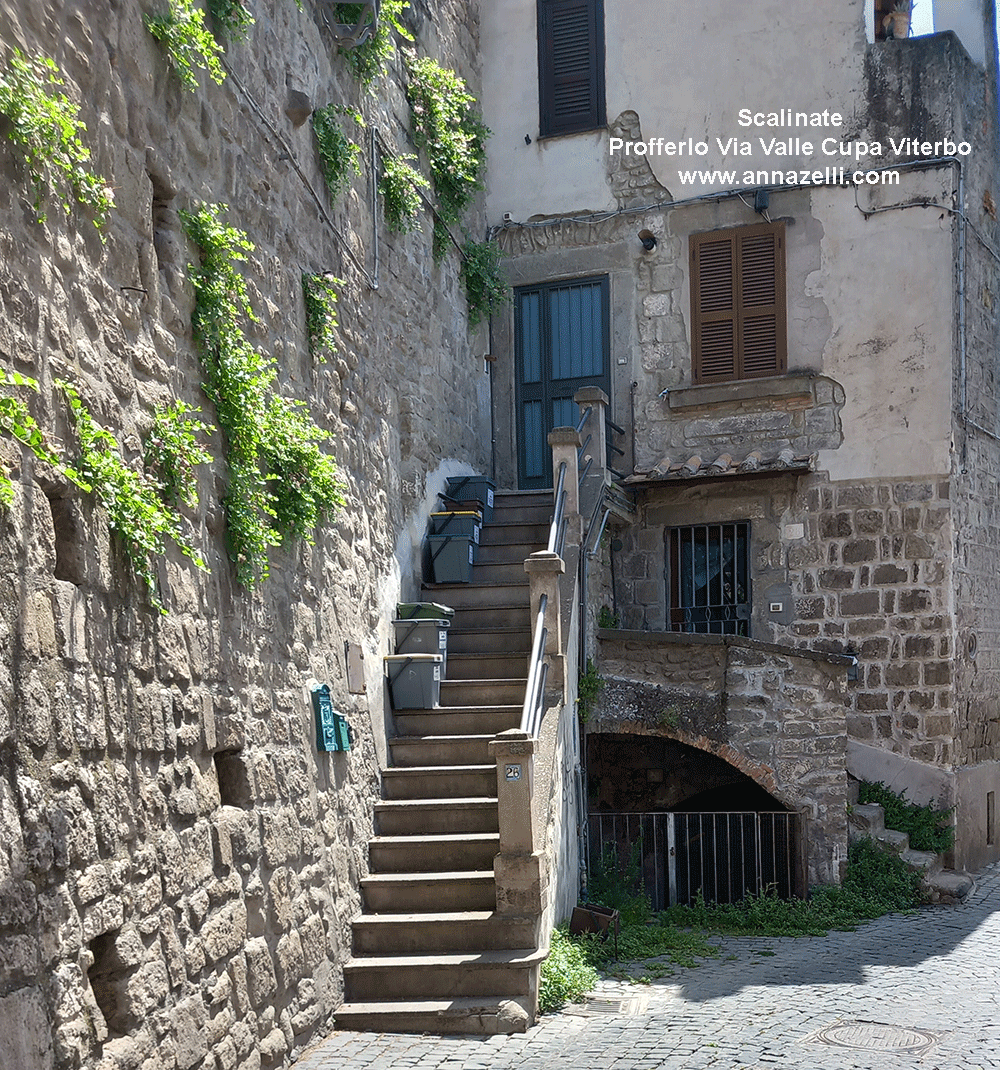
423	934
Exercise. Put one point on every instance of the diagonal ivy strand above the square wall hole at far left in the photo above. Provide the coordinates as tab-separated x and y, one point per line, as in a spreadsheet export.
136	513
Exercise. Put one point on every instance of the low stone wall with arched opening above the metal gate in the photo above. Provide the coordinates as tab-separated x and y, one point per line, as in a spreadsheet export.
775	714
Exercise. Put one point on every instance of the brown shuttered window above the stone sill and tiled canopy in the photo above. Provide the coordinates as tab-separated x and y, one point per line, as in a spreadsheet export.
739	303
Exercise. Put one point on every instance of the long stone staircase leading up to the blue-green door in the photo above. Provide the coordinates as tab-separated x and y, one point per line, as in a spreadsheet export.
430	953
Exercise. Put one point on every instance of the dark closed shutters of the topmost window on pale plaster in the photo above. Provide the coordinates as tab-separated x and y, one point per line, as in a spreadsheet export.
571	66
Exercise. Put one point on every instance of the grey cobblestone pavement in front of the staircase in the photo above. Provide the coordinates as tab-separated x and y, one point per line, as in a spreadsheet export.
762	1006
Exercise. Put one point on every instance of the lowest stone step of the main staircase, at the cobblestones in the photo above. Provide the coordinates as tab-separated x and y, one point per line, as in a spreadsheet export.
480	1016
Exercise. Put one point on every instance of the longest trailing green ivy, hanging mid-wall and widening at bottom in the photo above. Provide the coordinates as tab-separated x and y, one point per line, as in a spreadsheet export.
281	483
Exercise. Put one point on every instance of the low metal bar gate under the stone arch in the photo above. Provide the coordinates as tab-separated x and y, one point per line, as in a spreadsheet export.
725	857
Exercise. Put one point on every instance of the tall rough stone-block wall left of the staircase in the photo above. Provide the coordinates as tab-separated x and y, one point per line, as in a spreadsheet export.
179	864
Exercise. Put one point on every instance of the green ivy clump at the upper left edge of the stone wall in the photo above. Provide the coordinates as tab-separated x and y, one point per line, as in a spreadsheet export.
45	125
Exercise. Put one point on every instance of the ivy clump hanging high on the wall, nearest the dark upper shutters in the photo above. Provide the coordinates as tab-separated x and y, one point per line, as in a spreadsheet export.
447	124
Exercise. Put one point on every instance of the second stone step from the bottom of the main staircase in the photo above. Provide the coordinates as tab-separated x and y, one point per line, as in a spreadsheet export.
442	976
